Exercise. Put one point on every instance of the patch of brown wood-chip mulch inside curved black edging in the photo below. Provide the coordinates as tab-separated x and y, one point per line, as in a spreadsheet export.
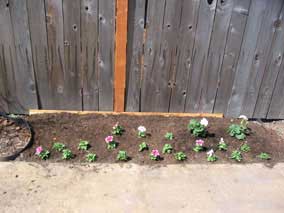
14	137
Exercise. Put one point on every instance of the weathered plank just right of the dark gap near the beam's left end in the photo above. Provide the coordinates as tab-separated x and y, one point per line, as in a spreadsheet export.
37	26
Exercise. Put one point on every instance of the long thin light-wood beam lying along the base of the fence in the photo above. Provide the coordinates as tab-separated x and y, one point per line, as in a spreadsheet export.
207	115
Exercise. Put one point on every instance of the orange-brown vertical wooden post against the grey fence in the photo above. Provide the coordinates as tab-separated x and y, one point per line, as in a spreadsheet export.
120	54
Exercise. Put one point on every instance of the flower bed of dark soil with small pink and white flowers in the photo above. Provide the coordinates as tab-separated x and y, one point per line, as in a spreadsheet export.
151	139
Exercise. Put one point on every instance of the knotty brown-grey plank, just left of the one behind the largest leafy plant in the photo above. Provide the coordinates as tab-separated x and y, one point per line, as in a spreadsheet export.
185	39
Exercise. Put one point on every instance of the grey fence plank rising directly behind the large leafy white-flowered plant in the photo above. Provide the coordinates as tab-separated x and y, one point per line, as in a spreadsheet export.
200	53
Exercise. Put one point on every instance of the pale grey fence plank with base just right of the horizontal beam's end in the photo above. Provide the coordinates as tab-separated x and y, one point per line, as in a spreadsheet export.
247	55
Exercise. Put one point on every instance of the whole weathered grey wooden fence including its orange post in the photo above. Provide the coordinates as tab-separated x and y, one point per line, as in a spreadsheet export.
182	56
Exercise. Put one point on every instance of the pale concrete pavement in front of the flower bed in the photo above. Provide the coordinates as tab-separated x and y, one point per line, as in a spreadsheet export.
30	187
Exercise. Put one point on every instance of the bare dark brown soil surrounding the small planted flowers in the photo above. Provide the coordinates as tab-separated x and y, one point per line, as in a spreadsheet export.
70	129
